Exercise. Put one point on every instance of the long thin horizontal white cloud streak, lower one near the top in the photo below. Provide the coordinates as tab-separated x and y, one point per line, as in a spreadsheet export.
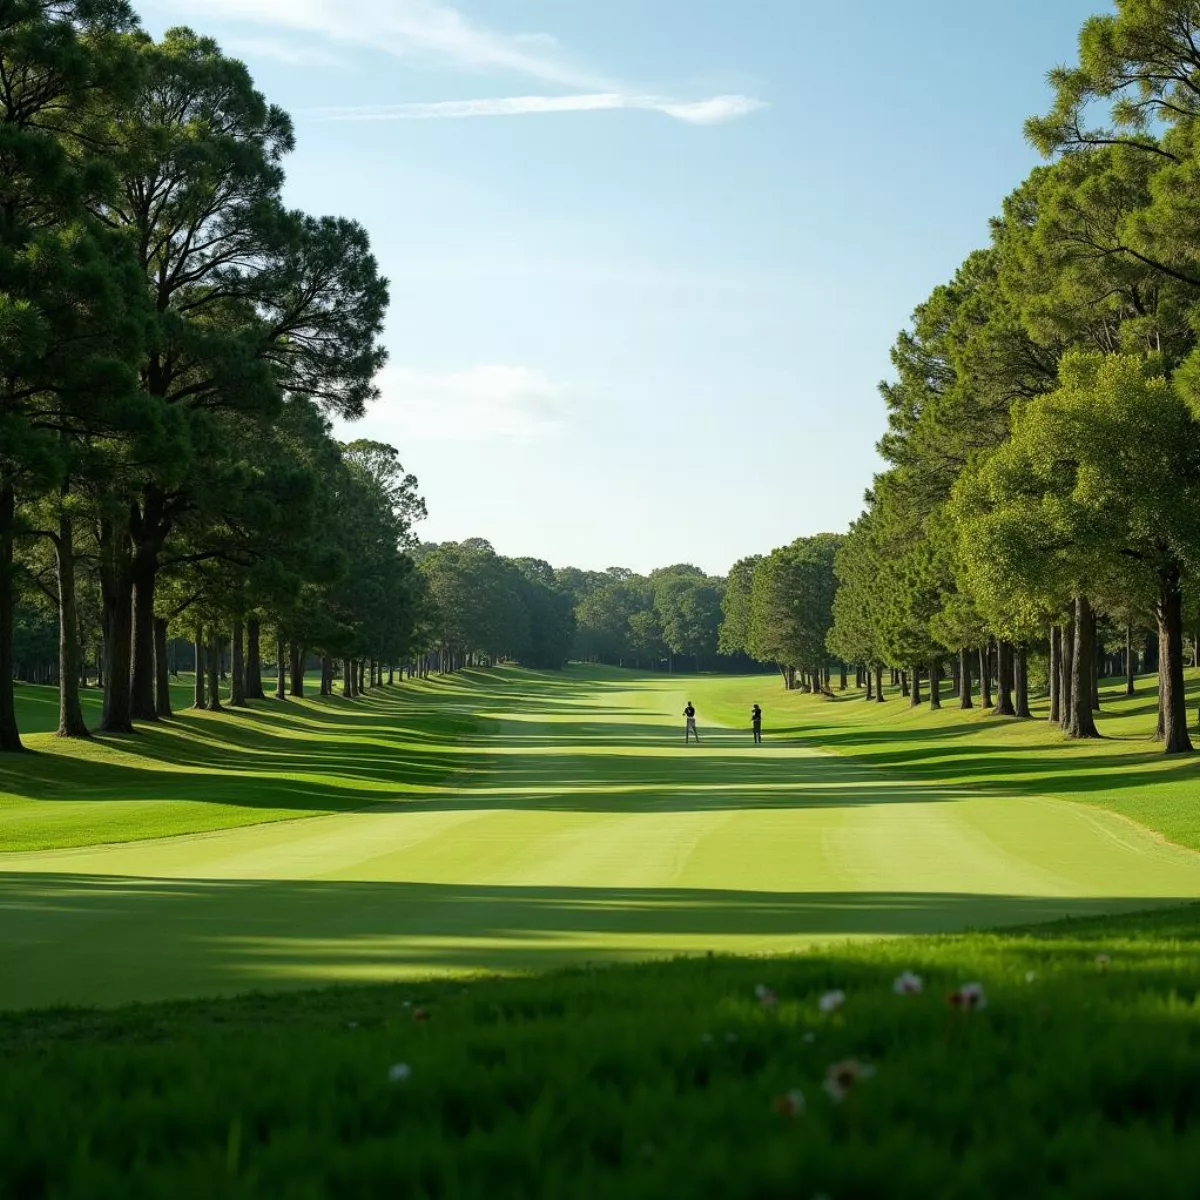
705	112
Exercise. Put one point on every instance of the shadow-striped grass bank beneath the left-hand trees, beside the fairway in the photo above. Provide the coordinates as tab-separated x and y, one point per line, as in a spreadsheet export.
199	772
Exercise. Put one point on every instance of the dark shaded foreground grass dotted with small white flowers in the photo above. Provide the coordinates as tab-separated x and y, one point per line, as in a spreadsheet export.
658	1081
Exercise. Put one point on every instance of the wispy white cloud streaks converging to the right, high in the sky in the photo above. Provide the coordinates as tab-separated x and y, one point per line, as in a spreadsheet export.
435	32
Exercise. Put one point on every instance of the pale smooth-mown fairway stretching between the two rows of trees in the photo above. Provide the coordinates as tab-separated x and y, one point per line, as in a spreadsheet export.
571	824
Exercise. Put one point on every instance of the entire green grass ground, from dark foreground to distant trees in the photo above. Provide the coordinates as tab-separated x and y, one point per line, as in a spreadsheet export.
471	836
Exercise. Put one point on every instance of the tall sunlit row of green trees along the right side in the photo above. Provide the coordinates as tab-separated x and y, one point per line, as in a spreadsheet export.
1041	506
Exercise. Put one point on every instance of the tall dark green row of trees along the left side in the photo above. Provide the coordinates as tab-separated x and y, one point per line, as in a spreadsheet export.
175	343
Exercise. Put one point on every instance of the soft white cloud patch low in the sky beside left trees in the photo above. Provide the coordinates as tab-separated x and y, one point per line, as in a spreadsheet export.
483	403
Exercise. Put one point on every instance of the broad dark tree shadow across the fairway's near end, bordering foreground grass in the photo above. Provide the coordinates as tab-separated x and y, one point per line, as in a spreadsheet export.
82	939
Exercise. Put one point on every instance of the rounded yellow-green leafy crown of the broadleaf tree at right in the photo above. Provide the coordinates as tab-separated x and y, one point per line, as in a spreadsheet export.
1097	490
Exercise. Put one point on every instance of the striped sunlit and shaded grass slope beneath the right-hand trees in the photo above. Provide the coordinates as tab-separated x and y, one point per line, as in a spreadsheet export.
1125	771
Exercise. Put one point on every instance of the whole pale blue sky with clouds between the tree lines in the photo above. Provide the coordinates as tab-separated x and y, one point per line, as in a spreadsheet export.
647	257
